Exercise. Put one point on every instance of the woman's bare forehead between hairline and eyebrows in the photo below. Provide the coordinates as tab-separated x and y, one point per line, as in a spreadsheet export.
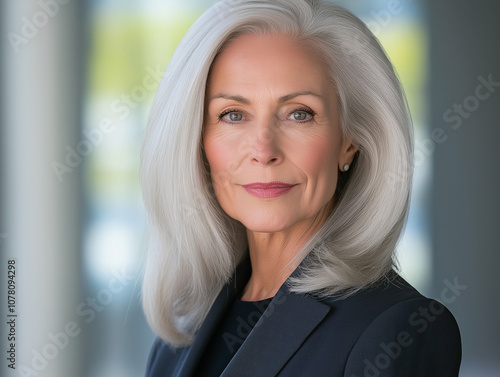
253	62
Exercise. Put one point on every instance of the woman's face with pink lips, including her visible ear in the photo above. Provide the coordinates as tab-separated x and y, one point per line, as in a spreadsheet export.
271	134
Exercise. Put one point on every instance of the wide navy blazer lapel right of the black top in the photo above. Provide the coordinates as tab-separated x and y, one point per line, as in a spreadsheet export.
279	333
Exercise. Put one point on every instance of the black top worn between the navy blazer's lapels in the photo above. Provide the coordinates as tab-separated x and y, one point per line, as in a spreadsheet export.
231	332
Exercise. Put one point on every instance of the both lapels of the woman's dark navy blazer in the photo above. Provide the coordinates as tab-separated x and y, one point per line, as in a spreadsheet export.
282	328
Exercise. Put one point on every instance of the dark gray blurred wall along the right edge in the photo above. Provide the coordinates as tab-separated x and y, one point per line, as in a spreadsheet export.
464	41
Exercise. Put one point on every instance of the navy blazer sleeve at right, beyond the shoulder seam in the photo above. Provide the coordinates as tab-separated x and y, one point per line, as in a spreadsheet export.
411	338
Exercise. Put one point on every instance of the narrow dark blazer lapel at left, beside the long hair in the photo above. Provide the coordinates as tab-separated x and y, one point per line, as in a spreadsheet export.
225	298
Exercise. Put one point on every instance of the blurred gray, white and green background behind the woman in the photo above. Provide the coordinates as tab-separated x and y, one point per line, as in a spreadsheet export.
77	81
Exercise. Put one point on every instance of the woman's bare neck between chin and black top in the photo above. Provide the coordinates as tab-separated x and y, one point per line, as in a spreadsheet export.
272	257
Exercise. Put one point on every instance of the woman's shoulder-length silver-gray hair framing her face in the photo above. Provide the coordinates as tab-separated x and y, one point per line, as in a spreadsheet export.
194	246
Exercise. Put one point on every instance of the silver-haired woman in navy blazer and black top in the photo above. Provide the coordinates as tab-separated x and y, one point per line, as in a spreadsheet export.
276	173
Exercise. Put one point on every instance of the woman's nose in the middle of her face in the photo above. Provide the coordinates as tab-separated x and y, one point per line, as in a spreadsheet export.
265	149
